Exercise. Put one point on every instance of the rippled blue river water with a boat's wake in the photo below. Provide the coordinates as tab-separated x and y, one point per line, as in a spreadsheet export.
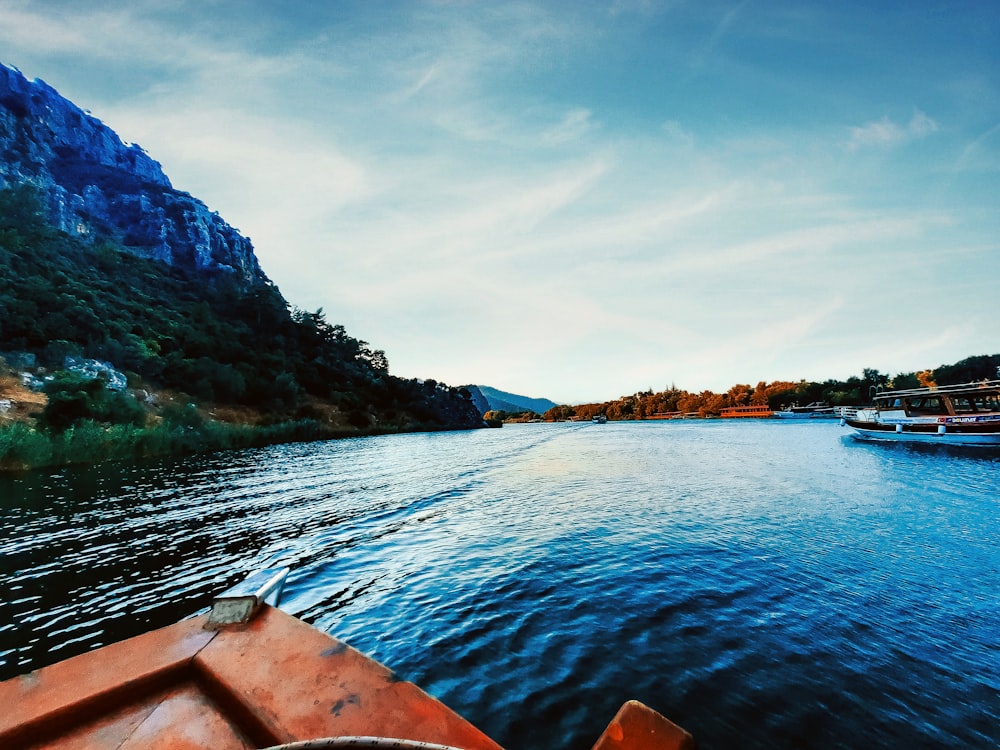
763	584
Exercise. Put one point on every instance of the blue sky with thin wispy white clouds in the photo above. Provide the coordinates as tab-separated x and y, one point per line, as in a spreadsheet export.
578	200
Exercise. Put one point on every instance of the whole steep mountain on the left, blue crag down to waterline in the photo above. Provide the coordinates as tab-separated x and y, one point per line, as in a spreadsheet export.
129	303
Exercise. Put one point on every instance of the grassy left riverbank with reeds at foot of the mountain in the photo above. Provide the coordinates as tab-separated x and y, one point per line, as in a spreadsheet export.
47	422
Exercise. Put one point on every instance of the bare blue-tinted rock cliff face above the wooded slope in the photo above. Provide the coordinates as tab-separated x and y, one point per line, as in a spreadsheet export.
96	186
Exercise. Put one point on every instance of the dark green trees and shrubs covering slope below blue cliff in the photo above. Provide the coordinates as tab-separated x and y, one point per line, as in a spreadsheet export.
206	336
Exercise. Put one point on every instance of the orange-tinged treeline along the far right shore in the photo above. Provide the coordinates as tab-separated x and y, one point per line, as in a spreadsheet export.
851	392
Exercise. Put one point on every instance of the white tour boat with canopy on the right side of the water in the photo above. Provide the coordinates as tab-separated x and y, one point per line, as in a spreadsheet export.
967	414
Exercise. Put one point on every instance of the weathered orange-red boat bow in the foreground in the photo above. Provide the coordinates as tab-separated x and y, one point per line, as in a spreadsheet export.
248	675
